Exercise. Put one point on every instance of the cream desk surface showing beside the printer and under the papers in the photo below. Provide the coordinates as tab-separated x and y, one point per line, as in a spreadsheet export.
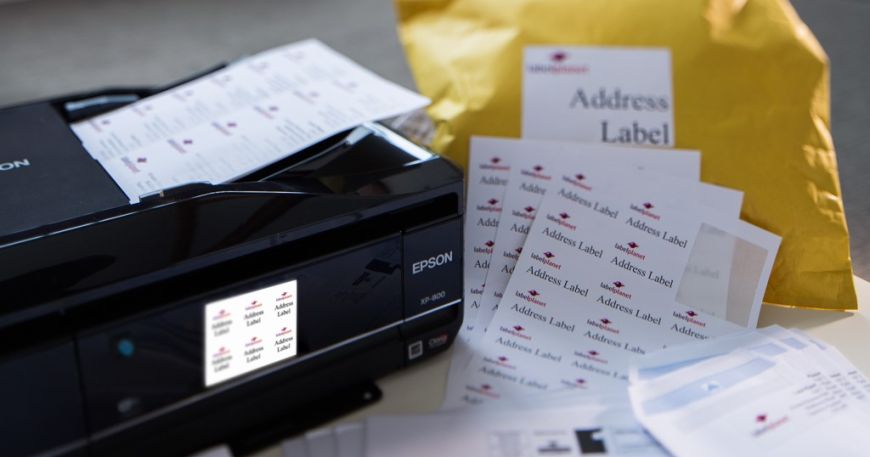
421	388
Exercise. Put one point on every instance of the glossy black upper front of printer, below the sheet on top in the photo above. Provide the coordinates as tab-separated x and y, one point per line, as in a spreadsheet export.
370	171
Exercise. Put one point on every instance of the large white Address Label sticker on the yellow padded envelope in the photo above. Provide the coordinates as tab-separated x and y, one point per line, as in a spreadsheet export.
595	94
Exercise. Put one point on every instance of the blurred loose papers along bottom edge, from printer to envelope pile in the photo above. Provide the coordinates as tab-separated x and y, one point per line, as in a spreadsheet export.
553	424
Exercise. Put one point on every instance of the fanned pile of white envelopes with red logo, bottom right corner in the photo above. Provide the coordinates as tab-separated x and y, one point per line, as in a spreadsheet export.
772	392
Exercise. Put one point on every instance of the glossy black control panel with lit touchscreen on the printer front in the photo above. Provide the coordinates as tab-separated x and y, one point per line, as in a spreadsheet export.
143	364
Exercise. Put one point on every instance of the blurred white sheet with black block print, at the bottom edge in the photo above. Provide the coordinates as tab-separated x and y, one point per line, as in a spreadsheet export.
590	428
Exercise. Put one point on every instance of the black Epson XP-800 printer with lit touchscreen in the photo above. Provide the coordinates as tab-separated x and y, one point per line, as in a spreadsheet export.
236	313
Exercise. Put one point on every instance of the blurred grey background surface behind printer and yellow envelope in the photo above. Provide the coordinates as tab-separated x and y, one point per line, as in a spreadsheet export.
50	47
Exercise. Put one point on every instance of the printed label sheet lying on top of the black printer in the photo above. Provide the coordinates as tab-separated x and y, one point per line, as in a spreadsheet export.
239	119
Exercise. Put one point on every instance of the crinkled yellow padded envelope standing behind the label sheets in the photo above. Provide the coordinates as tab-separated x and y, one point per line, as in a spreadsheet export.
750	91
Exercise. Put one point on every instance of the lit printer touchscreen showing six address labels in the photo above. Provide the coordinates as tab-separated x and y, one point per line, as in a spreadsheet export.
249	331
